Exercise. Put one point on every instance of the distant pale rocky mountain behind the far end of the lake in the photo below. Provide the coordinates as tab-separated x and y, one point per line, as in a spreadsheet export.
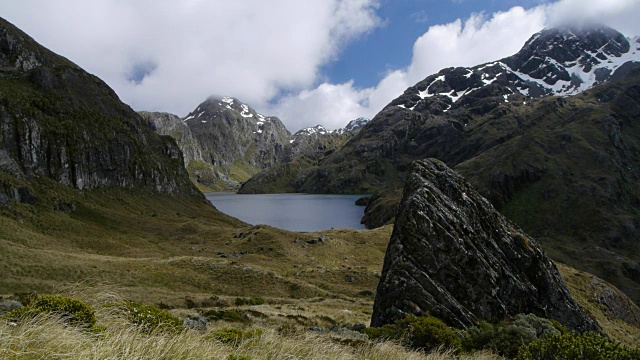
225	141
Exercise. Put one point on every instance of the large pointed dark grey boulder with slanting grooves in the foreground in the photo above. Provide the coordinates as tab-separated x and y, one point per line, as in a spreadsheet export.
453	256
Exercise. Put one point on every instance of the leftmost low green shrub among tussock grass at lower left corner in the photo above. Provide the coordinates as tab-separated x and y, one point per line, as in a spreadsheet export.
71	310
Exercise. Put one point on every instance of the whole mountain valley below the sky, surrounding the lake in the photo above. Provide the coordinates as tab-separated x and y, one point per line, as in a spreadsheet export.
498	194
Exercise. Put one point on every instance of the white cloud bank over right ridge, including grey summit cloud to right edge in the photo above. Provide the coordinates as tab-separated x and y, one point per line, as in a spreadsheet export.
478	39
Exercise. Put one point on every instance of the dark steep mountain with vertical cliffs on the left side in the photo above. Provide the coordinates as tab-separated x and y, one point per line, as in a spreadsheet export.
61	123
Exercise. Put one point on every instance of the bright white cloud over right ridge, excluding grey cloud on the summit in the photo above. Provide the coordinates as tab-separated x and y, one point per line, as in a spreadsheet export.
477	40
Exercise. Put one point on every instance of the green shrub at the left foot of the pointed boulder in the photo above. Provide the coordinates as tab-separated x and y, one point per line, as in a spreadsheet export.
425	332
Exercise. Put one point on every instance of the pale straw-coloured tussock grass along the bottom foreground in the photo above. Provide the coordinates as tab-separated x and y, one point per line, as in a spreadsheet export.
50	338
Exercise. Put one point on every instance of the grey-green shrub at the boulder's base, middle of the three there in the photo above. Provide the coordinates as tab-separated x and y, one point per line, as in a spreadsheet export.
508	336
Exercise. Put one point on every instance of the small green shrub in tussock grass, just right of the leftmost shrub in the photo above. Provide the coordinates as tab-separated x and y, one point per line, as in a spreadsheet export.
150	318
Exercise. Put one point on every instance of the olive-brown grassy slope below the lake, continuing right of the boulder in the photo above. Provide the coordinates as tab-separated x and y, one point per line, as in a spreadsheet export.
158	249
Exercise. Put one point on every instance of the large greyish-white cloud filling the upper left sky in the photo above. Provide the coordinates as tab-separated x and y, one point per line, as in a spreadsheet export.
170	55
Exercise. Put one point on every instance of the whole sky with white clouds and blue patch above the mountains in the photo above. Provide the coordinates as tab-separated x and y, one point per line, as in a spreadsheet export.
308	62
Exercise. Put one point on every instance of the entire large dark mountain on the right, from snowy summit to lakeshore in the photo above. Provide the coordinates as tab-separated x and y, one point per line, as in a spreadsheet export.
563	166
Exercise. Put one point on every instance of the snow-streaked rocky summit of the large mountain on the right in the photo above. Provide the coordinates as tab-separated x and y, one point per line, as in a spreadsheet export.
558	61
